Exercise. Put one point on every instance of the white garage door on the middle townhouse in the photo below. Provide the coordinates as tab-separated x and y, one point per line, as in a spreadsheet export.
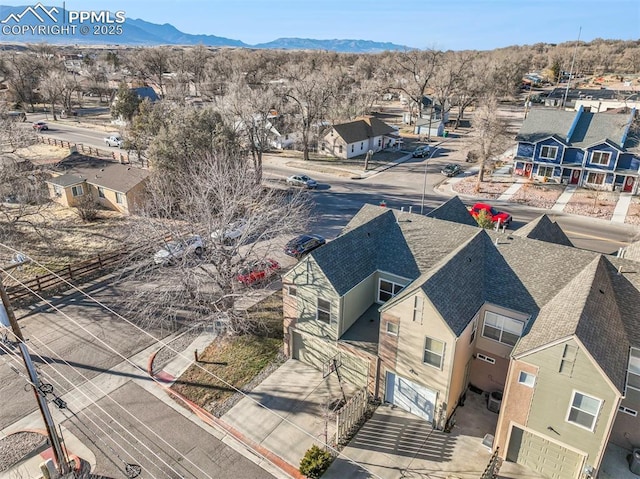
410	396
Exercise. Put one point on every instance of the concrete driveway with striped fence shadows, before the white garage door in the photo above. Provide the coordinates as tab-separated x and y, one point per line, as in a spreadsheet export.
395	444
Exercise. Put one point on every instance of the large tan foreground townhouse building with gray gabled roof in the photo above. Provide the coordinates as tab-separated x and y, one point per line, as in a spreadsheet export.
422	311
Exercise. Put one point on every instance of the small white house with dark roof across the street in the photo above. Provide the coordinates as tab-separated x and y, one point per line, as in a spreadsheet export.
357	137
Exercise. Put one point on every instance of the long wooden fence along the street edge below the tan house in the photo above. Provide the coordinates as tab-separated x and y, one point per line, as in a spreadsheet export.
72	272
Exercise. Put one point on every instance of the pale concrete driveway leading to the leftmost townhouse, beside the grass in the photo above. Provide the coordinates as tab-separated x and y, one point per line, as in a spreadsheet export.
287	412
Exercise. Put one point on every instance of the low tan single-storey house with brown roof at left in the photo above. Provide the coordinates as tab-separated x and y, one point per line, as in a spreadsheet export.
112	185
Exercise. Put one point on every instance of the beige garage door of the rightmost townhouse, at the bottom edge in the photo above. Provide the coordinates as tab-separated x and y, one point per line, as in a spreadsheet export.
549	459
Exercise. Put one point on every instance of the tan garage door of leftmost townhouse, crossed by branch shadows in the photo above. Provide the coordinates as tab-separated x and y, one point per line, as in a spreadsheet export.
316	353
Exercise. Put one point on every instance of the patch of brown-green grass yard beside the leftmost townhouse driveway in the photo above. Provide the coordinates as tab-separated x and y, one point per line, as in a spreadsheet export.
236	362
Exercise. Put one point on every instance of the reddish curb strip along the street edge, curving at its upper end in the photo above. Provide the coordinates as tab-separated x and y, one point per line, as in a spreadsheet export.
215	422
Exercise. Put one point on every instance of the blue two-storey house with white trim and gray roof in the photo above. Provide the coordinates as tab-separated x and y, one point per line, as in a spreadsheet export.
597	150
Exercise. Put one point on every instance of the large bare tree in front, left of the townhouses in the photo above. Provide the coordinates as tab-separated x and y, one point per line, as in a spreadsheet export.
206	198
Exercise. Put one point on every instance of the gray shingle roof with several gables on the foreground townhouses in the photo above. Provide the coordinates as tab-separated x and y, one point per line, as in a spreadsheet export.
567	291
